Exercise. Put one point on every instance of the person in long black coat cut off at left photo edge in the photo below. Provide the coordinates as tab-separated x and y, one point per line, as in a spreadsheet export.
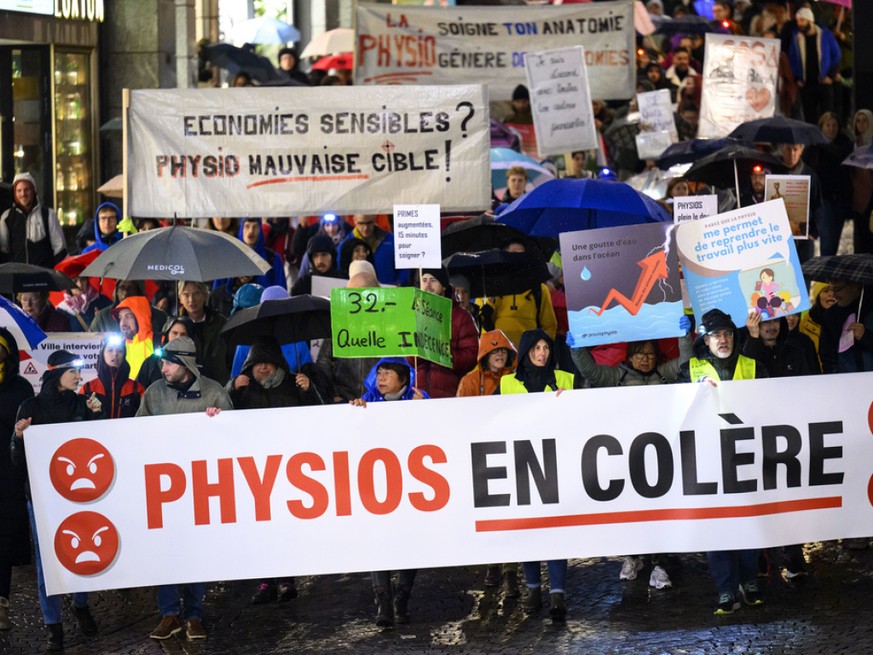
14	530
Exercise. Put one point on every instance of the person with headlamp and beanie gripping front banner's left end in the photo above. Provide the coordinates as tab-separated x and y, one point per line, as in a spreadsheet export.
56	402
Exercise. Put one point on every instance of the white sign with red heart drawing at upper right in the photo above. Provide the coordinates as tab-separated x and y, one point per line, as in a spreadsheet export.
739	82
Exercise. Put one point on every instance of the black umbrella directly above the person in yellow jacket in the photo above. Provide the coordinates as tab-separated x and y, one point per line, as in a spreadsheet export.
497	272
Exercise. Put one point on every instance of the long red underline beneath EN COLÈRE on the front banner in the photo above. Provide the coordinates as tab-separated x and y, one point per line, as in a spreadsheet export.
643	516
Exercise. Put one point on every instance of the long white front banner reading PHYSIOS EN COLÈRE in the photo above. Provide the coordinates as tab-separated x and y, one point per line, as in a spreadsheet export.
154	500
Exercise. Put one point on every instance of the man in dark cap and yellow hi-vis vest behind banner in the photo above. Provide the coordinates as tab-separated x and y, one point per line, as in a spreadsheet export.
716	358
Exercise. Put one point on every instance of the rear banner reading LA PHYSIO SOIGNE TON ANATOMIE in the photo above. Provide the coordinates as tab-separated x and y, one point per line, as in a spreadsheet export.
487	45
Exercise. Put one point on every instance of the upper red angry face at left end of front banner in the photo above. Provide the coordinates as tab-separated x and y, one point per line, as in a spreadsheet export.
82	470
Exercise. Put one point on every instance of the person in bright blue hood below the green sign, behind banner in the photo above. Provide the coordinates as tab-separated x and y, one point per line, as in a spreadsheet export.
392	378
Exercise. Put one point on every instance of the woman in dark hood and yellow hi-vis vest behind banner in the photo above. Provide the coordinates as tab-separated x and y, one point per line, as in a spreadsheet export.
536	371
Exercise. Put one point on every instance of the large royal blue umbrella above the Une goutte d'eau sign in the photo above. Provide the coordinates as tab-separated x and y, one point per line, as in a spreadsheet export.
567	205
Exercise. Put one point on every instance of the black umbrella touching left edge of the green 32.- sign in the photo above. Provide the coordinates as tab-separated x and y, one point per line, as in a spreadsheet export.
289	320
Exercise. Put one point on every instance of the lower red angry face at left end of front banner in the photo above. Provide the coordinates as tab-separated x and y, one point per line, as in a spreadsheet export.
86	543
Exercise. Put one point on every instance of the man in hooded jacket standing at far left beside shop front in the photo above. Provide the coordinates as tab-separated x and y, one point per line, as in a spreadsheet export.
29	232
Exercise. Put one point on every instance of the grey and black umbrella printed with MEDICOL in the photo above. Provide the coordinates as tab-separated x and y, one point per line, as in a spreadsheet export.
177	253
